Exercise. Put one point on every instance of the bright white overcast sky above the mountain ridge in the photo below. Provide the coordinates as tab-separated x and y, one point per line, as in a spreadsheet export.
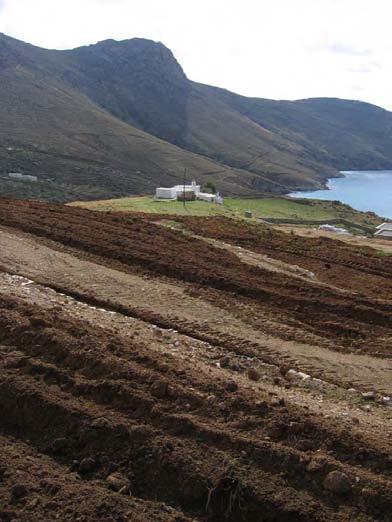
282	49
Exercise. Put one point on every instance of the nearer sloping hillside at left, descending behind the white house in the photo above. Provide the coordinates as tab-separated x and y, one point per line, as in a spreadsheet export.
76	148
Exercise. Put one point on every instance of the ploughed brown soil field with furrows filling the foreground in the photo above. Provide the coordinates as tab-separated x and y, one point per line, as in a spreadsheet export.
147	371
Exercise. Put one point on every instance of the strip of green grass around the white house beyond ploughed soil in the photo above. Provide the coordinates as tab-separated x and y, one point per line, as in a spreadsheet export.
281	208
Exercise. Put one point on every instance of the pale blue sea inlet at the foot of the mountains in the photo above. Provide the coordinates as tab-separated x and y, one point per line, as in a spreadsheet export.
369	190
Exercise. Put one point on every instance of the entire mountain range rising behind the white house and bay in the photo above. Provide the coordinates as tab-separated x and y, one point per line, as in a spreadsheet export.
119	118
